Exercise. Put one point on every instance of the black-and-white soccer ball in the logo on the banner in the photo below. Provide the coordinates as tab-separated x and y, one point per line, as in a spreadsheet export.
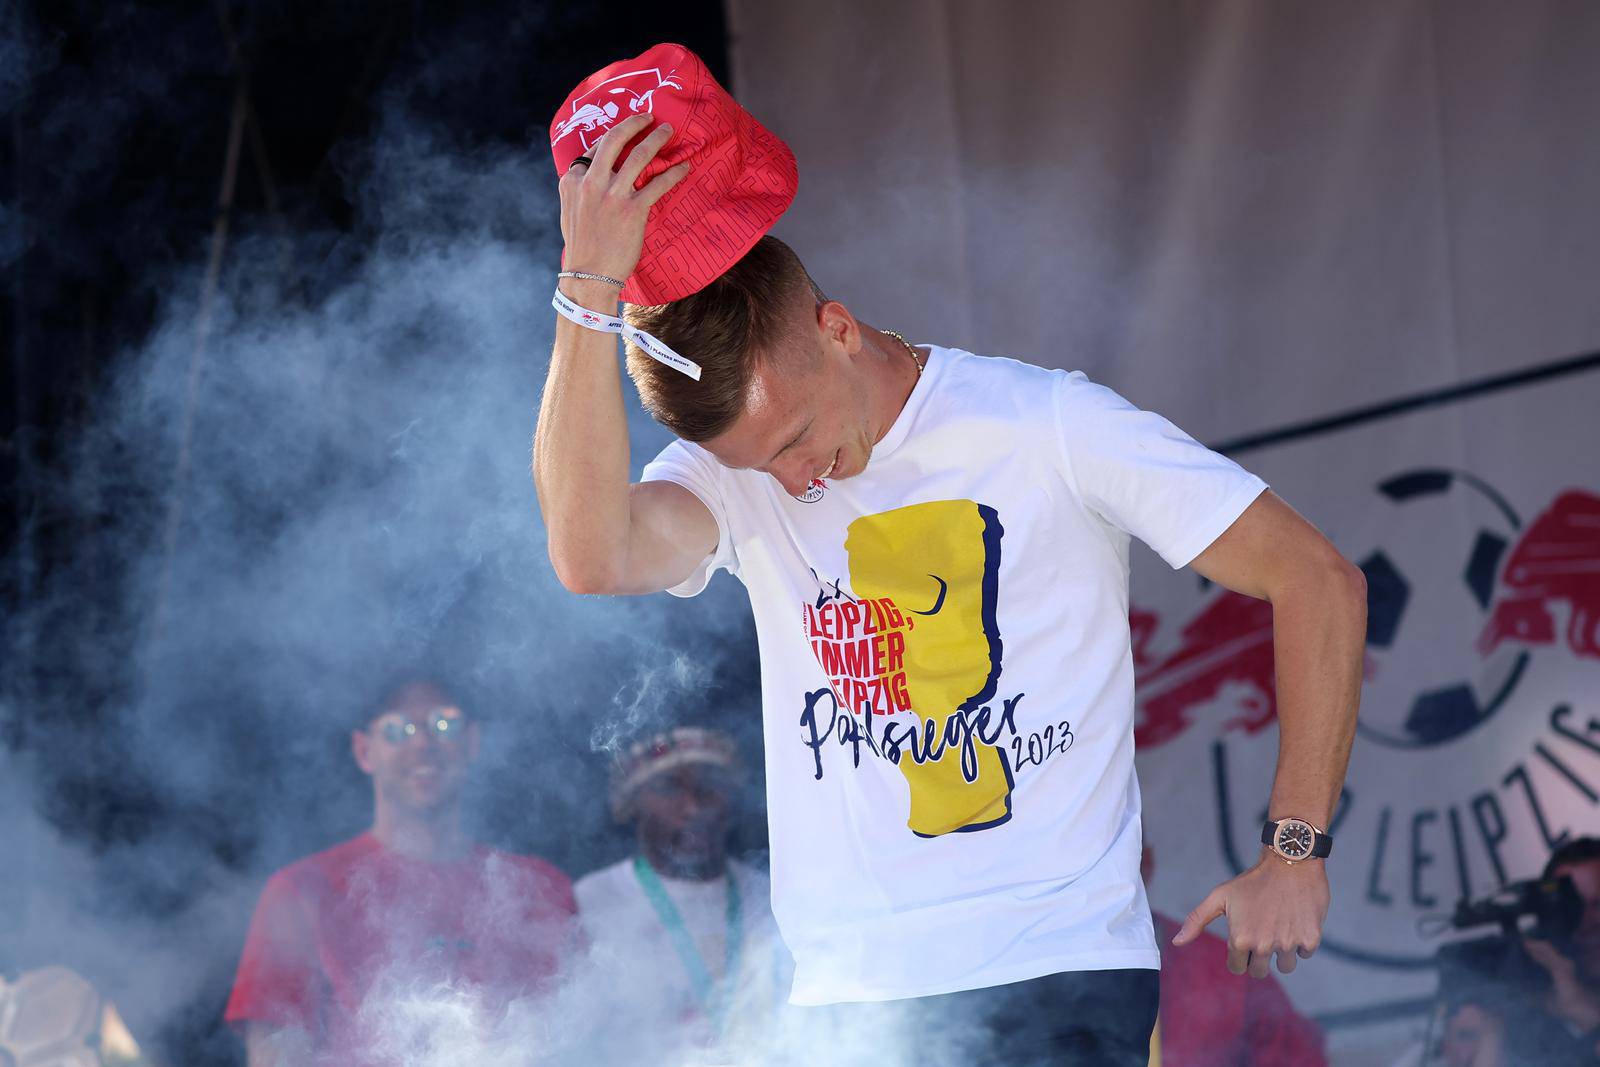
1433	556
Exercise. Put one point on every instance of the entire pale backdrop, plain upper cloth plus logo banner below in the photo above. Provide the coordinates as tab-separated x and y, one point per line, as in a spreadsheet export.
1358	247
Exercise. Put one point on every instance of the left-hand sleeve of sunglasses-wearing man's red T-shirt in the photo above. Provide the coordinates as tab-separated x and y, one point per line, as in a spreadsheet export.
279	980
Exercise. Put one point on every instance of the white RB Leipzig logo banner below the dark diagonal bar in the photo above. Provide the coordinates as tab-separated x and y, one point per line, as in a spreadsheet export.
1479	743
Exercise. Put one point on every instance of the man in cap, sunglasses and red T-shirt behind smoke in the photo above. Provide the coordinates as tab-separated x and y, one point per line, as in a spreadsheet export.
406	908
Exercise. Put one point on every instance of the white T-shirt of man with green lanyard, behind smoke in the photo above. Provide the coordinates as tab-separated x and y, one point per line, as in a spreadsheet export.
641	964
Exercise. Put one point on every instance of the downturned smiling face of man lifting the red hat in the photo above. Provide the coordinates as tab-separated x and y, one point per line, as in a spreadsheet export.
809	409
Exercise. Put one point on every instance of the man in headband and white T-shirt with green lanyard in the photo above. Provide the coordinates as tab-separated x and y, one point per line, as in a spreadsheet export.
682	933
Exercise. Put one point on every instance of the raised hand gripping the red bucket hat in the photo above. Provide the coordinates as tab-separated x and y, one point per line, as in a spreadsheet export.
602	214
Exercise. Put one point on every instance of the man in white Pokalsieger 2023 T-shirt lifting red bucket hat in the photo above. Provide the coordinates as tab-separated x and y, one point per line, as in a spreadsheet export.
937	554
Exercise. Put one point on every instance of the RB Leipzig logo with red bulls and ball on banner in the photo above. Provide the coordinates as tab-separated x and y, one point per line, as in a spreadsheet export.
1462	594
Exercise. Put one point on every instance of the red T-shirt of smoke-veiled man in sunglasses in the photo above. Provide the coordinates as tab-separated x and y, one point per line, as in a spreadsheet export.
334	927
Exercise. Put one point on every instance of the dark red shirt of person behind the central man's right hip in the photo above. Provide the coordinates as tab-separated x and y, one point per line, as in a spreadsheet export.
1212	1018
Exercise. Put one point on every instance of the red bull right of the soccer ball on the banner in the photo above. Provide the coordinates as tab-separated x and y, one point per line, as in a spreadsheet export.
1554	567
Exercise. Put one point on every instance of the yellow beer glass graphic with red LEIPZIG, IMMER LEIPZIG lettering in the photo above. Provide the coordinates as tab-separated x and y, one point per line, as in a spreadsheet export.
916	642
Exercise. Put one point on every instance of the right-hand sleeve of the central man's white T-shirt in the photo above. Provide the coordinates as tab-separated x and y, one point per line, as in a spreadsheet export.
1145	476
